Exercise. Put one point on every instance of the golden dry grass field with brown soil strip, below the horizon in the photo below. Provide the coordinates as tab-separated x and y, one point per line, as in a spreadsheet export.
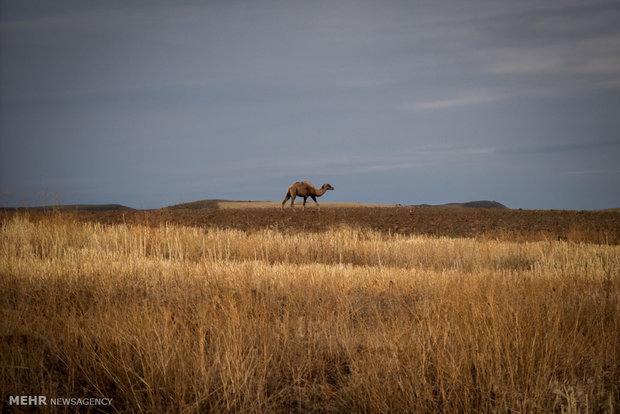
167	313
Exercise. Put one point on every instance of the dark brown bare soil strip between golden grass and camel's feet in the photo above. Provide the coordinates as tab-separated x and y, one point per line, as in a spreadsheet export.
601	227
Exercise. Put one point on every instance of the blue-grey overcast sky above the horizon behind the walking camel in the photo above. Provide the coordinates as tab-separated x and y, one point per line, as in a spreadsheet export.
152	103
